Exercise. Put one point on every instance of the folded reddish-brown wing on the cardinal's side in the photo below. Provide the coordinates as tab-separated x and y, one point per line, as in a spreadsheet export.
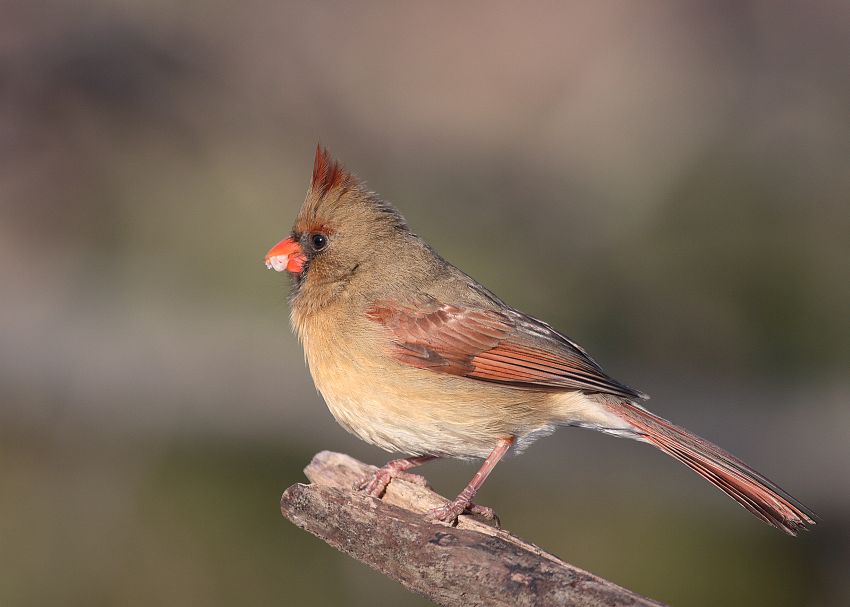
492	346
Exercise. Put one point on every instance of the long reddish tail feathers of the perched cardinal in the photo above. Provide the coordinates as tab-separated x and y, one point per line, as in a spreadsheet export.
753	491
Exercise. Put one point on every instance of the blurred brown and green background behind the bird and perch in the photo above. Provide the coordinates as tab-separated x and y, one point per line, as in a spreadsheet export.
666	182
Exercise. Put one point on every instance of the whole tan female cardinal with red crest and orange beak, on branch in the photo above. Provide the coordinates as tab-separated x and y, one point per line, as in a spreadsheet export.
416	357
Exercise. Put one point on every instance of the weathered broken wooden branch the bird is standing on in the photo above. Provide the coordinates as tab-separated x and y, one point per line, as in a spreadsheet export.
471	564
